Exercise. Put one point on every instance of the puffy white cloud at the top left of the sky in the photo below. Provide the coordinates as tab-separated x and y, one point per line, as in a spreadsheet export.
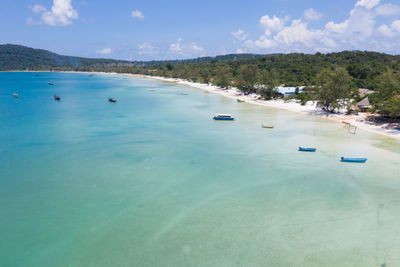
61	14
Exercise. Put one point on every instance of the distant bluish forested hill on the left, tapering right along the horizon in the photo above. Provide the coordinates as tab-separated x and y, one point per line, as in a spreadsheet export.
17	57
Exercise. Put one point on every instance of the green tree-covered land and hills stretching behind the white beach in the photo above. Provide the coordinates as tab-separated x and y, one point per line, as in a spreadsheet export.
330	79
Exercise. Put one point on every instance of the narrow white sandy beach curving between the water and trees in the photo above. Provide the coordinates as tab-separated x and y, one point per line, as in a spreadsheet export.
309	109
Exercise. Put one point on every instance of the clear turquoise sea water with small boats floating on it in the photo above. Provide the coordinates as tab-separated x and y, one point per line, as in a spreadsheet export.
153	181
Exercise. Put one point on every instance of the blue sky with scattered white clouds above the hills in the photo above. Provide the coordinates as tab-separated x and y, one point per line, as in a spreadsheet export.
178	29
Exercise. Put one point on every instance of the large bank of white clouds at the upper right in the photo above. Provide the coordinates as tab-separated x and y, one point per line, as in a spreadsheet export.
358	31
